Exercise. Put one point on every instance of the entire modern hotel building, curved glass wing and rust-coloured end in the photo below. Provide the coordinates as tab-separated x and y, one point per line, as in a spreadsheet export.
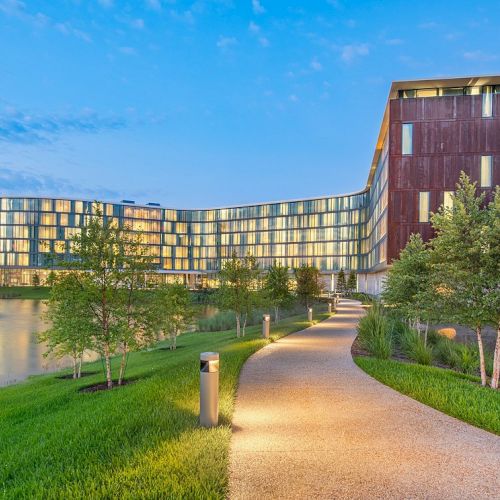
431	130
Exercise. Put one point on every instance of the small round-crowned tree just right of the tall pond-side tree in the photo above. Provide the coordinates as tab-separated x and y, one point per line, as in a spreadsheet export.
173	309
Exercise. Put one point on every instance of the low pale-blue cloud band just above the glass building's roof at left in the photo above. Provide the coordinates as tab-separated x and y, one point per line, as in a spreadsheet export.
17	181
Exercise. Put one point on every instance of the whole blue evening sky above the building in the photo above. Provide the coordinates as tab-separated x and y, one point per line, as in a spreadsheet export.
207	103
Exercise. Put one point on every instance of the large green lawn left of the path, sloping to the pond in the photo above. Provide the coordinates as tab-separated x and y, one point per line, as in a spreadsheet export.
138	441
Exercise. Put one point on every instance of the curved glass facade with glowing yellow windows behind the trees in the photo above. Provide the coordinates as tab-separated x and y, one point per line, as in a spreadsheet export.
331	233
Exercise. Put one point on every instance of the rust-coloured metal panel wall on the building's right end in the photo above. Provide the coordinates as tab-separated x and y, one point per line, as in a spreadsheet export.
449	135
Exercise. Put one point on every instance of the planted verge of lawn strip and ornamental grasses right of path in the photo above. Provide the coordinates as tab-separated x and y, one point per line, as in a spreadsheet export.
452	386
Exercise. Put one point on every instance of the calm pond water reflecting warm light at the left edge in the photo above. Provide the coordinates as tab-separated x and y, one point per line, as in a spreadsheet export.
20	353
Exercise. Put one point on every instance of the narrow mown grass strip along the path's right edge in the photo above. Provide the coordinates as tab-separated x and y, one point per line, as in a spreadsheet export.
453	393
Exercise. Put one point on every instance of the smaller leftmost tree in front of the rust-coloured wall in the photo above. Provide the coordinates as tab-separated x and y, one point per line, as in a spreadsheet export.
408	286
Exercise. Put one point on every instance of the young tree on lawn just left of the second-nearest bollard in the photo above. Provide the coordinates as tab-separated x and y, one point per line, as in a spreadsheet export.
238	288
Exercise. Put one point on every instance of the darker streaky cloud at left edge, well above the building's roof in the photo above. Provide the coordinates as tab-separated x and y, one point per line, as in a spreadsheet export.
18	127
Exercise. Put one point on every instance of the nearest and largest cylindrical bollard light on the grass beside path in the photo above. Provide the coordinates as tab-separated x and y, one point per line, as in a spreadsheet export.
209	389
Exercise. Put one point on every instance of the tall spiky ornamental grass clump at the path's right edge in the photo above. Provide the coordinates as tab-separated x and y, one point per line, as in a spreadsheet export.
374	333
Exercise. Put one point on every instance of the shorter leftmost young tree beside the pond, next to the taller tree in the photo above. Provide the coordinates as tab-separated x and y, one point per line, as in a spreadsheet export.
71	330
